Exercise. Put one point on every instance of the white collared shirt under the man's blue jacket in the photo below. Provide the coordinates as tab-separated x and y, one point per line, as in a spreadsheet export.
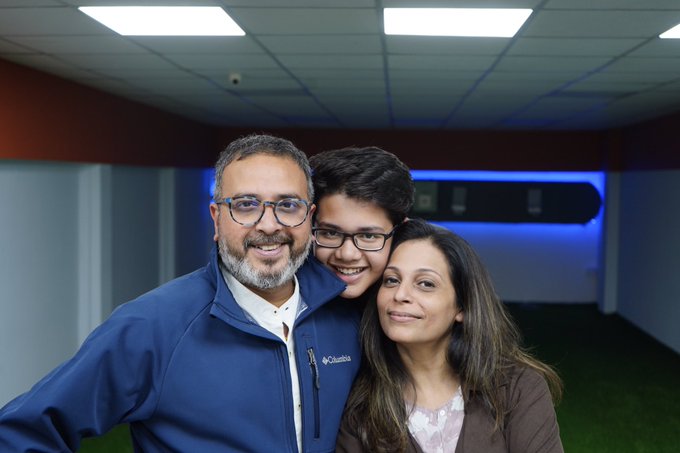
273	318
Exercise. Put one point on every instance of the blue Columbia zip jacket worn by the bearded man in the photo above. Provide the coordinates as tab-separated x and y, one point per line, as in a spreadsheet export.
191	373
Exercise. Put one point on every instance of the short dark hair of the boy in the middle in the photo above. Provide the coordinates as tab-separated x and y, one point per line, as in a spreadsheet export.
368	174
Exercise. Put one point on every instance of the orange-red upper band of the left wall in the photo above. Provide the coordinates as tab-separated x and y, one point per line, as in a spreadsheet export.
48	118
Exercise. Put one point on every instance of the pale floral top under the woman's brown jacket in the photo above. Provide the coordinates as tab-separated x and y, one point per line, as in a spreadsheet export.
437	431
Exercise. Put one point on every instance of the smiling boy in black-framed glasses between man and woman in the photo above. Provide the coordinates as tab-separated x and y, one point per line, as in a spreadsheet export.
361	195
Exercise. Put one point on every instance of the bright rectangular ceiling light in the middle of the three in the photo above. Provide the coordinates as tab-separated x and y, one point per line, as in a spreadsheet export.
481	22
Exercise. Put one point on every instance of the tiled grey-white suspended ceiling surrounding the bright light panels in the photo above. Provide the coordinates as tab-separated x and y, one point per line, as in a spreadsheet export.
574	65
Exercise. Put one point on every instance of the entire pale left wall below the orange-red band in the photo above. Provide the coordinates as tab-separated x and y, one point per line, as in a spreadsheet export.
76	240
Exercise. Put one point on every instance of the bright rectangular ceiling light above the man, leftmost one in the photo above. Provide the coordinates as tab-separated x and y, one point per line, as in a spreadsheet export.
165	20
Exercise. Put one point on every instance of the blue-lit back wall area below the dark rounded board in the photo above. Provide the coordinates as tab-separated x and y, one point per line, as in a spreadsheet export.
538	262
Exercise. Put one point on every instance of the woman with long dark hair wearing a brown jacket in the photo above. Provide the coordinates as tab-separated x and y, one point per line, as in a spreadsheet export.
444	369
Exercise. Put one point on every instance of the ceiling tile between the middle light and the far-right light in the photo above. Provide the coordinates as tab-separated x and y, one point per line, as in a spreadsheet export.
599	23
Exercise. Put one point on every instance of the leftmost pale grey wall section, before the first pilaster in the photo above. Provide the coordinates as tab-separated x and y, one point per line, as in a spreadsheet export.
38	270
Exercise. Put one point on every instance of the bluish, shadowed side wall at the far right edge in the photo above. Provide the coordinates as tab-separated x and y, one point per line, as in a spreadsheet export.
649	253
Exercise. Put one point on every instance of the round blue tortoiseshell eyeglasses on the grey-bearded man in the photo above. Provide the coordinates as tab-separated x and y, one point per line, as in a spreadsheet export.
247	211
